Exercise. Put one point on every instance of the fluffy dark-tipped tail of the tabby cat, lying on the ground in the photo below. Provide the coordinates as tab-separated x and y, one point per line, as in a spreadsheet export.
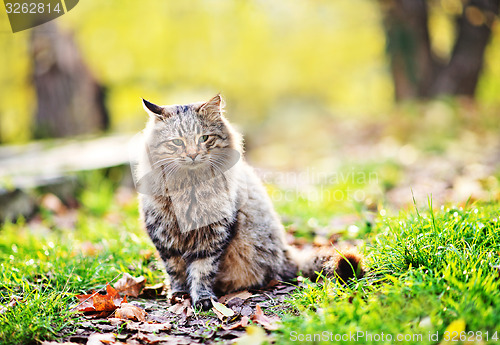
329	262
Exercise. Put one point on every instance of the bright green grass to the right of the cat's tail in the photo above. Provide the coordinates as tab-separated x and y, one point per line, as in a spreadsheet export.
427	271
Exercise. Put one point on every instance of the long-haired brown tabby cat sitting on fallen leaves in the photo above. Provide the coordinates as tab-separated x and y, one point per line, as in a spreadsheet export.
208	213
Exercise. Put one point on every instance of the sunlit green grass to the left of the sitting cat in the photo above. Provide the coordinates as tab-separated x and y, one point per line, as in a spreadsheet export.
44	264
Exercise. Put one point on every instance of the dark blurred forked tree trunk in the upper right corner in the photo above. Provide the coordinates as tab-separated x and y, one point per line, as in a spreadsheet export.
417	71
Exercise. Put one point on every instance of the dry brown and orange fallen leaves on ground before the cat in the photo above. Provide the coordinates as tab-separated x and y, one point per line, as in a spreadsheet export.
109	318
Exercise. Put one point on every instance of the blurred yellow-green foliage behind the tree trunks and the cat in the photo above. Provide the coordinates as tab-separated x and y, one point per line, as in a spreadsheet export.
260	55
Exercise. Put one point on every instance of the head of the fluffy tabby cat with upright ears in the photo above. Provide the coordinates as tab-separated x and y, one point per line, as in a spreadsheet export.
191	136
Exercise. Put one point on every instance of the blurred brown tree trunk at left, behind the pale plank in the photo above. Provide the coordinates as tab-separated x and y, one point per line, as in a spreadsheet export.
69	100
